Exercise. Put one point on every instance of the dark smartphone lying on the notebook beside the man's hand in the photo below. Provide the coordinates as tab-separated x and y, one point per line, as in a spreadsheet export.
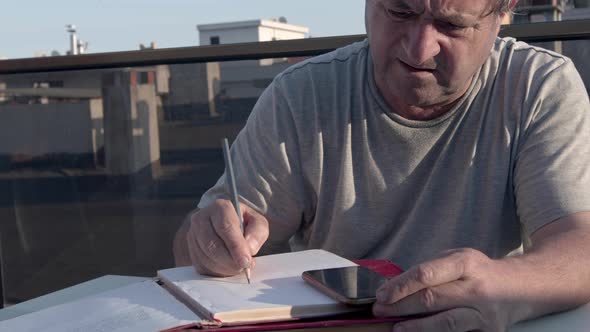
353	285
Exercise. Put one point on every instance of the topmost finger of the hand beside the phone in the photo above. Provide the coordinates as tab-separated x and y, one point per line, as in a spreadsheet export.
436	272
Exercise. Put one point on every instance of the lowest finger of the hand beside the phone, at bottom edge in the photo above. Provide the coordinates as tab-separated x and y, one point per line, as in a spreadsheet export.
455	320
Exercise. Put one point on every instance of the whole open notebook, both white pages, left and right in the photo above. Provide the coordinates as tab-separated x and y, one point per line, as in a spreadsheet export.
277	293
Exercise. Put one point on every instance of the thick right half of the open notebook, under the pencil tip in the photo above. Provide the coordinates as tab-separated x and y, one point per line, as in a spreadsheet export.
277	291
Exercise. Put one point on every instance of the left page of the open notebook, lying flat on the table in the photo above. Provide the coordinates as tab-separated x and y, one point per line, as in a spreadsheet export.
144	306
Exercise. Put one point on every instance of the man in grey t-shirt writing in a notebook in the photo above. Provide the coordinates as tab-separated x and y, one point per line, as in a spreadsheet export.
434	144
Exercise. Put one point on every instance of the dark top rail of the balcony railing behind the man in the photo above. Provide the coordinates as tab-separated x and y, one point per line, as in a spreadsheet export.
534	32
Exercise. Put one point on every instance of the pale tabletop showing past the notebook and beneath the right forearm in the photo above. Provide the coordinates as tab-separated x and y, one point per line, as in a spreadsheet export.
577	320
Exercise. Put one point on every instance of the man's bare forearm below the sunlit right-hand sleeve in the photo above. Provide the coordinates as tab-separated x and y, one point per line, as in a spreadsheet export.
554	275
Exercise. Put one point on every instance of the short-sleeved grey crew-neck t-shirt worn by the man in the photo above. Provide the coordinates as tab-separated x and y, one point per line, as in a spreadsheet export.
329	164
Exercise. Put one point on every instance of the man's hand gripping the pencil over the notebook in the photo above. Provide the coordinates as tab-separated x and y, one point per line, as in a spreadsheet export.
215	242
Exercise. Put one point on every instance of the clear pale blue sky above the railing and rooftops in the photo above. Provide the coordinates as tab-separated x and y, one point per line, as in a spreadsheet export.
33	27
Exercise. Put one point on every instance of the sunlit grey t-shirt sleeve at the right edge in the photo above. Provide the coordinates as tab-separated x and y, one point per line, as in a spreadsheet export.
552	173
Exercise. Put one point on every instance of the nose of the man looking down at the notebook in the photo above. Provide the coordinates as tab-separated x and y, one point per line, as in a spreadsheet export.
421	43
